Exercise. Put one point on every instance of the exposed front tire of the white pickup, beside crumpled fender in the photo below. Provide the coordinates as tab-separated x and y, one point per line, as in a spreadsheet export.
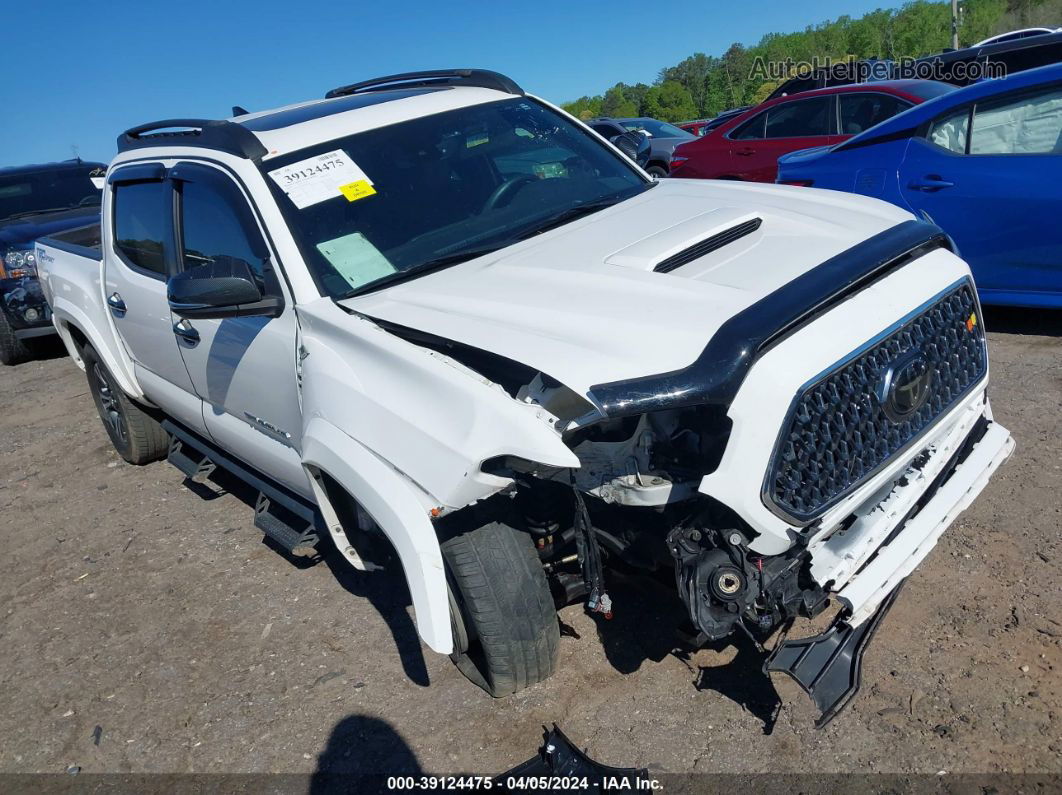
506	634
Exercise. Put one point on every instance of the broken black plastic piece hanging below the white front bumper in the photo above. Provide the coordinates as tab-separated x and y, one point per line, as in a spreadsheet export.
828	667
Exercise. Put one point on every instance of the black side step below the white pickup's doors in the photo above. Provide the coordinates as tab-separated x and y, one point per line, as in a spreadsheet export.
285	517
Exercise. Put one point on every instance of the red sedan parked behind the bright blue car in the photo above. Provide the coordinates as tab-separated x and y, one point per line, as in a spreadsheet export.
749	146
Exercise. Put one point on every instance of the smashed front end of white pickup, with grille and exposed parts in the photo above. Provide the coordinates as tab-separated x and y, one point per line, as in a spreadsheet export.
762	494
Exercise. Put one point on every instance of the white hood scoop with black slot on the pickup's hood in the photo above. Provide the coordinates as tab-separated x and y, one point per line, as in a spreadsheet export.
675	247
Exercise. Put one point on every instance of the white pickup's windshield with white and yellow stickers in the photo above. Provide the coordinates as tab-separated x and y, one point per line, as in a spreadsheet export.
390	204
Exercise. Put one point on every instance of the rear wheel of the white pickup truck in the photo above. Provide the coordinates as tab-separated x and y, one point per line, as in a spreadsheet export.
136	436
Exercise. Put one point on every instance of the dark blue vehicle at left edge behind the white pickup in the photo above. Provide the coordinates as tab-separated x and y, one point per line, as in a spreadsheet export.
36	202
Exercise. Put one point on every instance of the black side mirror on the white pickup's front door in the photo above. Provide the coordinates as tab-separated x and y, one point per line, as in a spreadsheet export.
225	288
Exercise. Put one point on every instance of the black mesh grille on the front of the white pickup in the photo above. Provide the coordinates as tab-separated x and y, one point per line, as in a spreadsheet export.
838	434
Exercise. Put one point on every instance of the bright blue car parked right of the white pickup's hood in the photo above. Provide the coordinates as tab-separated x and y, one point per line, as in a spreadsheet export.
984	163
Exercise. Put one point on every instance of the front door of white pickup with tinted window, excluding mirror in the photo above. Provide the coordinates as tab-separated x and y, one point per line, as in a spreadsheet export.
244	369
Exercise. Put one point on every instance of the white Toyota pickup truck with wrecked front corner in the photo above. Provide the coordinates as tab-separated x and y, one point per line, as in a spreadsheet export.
437	321
